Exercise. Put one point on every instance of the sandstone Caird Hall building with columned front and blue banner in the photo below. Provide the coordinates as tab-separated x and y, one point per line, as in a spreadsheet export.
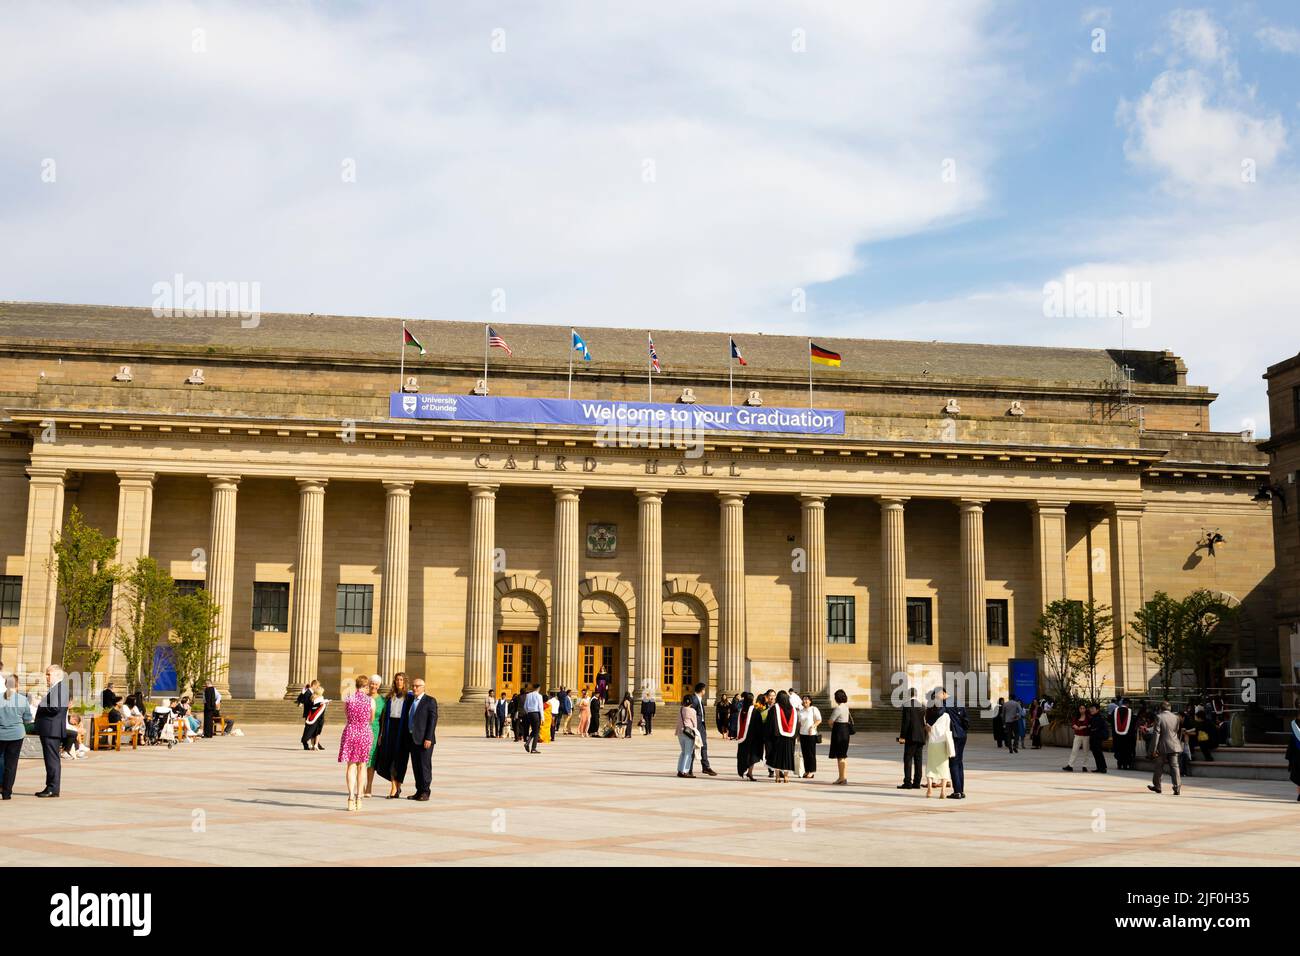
352	521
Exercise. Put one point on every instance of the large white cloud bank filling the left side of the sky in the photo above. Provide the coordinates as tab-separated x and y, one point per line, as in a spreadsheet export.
478	171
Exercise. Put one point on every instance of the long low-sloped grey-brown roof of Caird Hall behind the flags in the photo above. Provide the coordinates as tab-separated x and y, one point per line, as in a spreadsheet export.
549	345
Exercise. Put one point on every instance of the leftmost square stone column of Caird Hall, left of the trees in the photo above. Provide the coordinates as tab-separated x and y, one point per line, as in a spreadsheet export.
41	578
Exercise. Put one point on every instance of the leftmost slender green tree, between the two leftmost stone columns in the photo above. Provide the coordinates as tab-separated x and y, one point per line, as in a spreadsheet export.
84	563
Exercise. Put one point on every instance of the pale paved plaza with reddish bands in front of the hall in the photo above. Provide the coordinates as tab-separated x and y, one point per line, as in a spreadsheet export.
261	801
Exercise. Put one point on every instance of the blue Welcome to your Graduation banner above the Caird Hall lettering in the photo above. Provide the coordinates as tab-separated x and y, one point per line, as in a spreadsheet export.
562	412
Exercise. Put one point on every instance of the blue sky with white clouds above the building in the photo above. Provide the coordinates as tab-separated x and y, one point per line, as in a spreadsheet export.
933	171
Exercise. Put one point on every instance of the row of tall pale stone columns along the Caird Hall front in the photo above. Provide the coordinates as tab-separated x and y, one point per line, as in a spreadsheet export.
45	520
